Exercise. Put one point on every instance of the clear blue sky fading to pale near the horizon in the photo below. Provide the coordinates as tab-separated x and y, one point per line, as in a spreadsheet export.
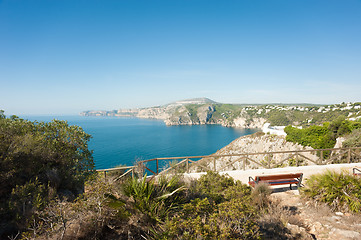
66	56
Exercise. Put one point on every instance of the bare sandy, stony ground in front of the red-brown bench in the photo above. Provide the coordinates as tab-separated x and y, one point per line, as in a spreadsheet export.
318	222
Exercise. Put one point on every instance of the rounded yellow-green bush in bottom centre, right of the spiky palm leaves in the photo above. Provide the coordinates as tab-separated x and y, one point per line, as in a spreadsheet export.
219	208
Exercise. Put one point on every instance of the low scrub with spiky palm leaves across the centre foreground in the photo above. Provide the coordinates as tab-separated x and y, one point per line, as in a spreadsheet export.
214	207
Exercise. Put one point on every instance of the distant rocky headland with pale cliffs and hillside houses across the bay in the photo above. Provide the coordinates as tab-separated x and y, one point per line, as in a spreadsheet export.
206	111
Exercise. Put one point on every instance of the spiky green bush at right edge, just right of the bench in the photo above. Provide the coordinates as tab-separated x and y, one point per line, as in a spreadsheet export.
340	191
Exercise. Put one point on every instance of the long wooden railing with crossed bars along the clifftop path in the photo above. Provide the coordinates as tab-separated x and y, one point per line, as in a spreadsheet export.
241	161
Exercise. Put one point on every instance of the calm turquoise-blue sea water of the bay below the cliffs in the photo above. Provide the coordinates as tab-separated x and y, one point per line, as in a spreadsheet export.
124	140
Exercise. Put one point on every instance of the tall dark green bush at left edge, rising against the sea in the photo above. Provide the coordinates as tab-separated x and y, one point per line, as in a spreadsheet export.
39	162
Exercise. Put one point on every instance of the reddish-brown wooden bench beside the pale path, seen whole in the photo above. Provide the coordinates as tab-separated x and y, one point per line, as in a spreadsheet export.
278	179
